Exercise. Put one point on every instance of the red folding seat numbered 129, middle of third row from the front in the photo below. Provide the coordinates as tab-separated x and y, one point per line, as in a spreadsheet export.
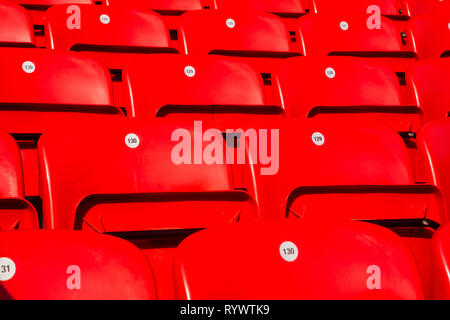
201	87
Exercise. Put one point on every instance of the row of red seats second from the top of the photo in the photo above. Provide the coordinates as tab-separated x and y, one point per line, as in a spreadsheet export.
122	29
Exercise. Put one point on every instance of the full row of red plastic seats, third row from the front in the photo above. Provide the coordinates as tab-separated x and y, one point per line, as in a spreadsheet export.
39	86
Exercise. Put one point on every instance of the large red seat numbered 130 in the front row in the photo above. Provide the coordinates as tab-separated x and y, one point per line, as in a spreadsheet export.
292	260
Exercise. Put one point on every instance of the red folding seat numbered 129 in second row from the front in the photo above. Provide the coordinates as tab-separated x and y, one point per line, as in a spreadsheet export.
344	170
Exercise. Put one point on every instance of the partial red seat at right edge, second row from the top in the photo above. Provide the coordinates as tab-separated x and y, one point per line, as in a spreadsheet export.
431	35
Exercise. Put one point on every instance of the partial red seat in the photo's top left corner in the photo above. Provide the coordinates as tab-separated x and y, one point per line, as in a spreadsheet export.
16	29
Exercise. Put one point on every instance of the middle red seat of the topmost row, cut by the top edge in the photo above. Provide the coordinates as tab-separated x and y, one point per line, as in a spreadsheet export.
287	8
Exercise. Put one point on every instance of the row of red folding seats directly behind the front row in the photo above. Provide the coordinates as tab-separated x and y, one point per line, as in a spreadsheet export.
156	182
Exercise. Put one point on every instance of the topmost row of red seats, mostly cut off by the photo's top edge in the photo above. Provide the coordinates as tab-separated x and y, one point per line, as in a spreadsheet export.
395	9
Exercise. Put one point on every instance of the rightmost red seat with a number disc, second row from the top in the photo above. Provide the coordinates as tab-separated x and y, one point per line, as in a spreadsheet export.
349	35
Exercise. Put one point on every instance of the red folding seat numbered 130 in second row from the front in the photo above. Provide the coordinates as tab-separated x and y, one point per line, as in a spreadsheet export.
125	177
